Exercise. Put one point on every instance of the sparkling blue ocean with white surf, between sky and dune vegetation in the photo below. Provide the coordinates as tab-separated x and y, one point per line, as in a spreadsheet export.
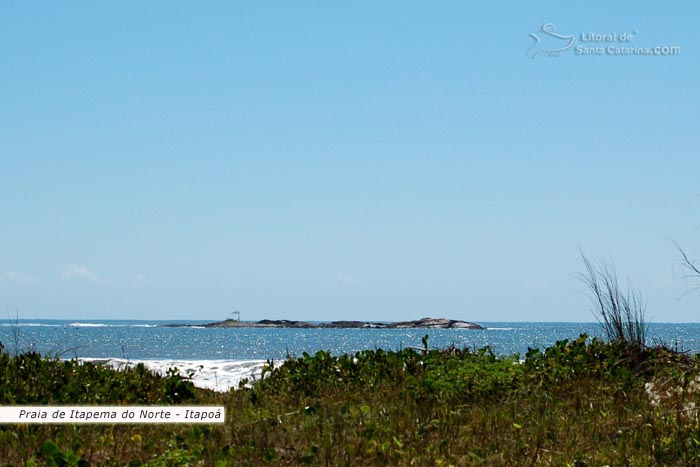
218	358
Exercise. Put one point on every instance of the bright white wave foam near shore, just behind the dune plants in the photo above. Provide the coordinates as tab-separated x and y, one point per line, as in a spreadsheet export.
217	375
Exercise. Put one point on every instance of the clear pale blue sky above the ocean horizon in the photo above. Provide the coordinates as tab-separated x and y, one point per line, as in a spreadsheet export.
343	160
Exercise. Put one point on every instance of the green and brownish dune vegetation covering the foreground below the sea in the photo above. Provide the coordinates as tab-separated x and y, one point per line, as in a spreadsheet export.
578	403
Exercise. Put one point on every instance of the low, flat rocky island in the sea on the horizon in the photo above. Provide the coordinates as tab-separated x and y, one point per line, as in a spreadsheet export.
423	323
